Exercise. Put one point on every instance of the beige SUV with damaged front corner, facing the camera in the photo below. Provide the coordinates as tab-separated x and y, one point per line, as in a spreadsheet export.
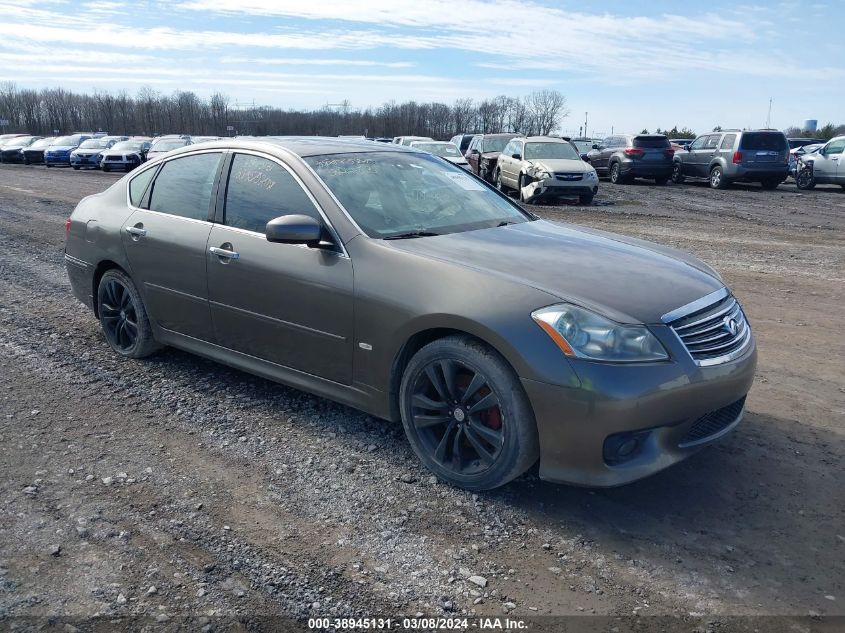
545	167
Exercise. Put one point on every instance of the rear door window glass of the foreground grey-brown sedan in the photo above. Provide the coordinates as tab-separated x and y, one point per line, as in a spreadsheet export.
183	186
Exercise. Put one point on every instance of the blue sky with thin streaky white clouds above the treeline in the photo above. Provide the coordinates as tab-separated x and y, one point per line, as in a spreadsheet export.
629	65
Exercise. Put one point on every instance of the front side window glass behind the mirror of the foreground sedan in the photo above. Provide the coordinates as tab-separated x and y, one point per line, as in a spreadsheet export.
259	190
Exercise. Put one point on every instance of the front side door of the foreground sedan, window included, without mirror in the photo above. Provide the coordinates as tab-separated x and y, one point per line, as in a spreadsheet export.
289	304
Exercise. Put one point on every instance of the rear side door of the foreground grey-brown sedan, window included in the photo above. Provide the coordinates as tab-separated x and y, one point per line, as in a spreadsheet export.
165	240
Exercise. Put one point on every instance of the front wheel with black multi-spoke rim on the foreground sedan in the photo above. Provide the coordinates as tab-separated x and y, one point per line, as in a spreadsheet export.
476	449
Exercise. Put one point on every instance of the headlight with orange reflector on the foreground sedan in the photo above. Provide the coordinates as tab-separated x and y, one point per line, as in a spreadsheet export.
584	334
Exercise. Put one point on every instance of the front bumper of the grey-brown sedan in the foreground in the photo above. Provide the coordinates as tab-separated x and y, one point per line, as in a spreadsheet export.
661	400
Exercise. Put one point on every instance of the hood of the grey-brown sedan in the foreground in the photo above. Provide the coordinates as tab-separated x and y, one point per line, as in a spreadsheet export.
627	280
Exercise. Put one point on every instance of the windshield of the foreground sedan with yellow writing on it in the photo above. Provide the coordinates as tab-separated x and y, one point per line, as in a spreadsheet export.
392	194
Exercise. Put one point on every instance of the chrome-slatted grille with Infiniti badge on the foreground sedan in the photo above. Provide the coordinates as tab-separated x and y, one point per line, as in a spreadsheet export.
716	333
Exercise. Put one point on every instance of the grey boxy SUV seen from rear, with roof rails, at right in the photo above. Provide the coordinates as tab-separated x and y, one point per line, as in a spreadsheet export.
733	156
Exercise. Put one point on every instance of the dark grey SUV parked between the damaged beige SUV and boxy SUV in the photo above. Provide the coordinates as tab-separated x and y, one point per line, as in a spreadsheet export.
624	157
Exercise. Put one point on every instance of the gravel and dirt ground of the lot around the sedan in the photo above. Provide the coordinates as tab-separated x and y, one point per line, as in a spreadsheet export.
177	487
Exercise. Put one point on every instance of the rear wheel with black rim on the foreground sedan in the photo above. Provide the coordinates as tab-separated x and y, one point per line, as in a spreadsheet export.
121	311
